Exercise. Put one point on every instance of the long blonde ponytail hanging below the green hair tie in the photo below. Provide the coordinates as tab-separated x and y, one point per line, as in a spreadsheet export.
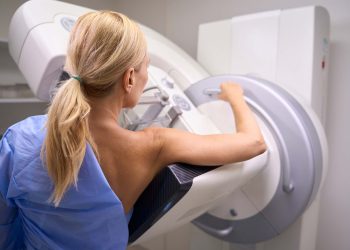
67	134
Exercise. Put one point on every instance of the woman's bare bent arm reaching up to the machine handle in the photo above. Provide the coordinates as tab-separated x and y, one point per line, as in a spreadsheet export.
181	146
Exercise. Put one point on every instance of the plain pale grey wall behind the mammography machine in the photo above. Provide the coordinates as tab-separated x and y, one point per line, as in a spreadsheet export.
179	20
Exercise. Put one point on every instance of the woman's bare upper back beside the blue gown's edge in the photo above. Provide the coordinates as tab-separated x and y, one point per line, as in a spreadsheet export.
127	159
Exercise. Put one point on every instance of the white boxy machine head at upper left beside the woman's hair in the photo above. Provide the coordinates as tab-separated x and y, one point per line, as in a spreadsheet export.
38	37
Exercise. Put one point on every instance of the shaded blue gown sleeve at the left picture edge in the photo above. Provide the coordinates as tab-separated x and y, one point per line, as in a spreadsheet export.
10	226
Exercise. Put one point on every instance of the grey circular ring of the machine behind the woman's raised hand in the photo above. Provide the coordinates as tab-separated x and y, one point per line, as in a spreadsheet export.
301	152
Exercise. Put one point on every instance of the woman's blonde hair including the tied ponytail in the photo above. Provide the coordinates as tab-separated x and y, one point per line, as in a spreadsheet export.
102	46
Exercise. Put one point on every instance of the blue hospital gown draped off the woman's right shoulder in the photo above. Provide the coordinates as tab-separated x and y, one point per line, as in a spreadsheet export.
90	216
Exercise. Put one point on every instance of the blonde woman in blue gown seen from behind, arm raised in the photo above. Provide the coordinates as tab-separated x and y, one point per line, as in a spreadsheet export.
68	186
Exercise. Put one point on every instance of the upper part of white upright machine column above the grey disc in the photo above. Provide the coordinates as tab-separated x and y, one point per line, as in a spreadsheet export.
289	47
